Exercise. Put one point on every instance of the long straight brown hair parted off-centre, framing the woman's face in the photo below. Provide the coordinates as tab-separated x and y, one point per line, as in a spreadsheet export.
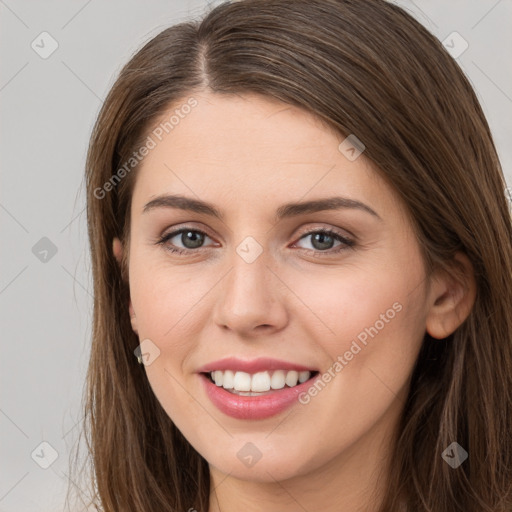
363	67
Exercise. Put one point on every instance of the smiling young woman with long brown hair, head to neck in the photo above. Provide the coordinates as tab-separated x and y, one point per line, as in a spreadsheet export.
301	251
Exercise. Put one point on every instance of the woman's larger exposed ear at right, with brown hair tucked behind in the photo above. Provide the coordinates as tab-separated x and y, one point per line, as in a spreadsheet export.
452	295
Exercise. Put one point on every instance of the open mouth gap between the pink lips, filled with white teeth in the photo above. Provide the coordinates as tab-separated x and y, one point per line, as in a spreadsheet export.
260	383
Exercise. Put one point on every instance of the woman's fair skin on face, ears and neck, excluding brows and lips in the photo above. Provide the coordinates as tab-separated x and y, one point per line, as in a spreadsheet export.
248	155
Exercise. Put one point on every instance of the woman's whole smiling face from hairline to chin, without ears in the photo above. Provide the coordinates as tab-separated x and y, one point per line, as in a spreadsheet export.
261	288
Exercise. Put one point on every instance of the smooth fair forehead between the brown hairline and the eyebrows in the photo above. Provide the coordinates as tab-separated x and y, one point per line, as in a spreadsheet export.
252	148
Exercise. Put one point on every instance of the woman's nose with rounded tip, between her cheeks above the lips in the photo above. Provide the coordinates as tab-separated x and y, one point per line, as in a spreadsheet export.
251	299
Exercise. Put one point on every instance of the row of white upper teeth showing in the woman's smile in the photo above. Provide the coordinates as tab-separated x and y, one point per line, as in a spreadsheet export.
258	382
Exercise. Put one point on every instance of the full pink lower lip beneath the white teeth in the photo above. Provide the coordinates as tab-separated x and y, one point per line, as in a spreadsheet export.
254	407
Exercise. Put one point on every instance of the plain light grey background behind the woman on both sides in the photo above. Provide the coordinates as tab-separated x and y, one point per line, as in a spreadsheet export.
48	107
